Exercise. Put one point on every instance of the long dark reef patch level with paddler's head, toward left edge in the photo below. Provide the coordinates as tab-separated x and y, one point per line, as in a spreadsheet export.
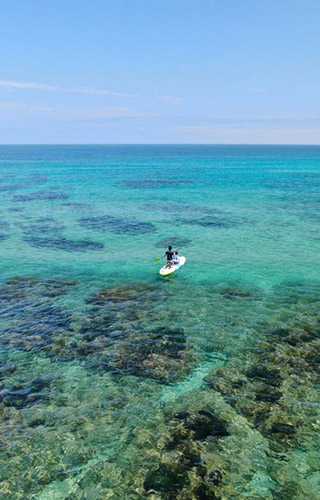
62	243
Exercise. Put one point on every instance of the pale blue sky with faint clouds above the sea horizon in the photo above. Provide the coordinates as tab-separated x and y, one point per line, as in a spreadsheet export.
159	71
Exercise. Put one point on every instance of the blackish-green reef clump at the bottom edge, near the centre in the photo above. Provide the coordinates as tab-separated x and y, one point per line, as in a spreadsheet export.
183	470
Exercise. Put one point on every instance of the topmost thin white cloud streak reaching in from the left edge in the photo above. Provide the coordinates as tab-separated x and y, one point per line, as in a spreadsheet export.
14	85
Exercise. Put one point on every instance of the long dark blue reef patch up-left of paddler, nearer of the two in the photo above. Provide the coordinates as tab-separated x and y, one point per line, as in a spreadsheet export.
116	224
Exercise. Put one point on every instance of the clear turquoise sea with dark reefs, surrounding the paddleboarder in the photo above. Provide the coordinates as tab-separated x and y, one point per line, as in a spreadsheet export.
117	383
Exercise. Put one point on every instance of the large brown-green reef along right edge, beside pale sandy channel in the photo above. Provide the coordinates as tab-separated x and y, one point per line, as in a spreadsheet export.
283	364
